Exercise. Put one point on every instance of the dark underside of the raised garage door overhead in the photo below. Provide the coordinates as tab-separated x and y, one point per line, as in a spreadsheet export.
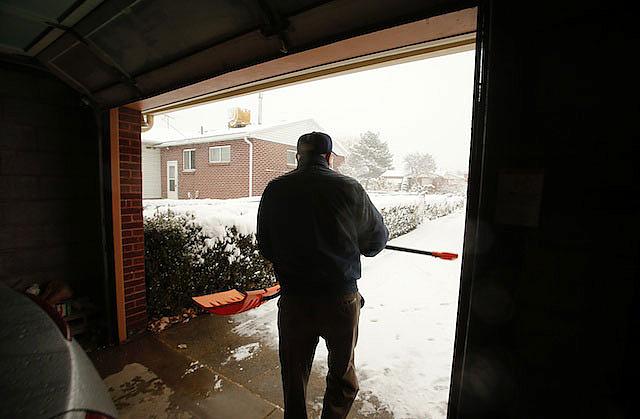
119	51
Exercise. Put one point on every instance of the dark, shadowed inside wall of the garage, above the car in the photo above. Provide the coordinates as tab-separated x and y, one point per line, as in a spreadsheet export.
49	186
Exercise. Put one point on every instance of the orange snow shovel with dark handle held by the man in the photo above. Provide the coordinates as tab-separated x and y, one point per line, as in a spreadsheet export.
234	301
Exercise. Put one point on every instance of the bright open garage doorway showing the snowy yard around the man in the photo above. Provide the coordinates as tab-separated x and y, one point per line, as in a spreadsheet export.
404	132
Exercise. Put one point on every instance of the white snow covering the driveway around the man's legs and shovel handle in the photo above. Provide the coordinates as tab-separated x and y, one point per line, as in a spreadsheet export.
407	325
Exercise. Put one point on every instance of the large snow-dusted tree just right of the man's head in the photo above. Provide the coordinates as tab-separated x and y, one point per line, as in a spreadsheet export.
369	158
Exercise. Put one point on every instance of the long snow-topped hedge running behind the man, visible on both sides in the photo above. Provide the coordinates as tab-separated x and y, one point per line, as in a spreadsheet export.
197	247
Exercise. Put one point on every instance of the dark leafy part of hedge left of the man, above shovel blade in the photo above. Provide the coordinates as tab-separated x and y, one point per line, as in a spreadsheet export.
181	261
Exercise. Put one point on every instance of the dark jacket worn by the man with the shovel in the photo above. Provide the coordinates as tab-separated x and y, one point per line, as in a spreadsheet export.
314	224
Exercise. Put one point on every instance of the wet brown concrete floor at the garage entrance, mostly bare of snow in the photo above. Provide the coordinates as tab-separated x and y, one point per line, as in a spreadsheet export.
152	377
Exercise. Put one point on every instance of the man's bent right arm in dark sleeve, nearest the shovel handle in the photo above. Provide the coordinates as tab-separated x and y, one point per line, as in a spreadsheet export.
372	233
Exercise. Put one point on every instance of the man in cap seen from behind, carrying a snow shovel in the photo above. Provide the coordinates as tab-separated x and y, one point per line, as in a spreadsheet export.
313	225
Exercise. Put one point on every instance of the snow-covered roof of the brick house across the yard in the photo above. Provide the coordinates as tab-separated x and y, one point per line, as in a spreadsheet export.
283	133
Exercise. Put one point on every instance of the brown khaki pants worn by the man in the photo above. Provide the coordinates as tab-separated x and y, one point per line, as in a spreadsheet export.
301	321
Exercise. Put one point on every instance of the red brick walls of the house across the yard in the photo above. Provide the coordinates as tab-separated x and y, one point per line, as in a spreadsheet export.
228	180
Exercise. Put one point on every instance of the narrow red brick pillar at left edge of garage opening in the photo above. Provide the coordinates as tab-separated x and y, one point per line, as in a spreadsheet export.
131	219
